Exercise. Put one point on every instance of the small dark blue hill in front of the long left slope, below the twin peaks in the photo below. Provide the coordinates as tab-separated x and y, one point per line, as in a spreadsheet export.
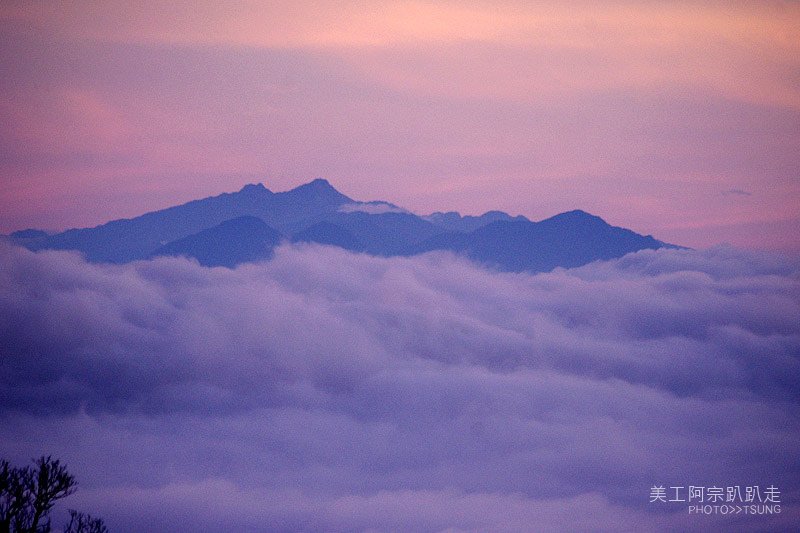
239	240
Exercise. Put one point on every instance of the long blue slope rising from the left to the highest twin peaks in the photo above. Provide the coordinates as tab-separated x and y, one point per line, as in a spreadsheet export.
125	240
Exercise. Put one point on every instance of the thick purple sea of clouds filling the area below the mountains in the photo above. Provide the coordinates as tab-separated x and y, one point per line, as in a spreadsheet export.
331	391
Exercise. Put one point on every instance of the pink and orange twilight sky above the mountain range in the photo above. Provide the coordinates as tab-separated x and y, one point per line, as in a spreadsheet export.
677	119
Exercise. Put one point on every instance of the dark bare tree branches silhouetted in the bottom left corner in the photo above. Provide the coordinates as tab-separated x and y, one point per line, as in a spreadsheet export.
27	495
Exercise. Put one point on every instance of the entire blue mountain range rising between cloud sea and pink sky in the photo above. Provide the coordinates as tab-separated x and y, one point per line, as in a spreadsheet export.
244	226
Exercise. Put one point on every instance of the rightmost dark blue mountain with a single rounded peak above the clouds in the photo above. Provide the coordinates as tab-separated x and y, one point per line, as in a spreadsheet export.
566	240
